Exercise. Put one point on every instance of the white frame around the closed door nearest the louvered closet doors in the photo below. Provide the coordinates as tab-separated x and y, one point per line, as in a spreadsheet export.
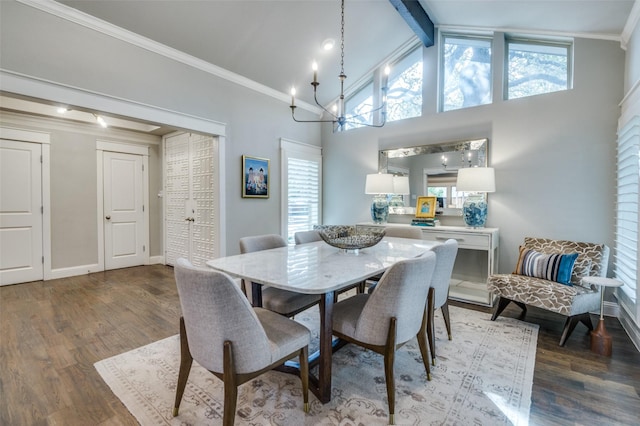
102	146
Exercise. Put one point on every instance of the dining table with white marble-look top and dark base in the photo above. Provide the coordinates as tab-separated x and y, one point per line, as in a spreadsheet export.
318	268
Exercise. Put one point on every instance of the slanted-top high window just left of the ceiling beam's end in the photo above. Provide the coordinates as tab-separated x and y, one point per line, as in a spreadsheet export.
404	87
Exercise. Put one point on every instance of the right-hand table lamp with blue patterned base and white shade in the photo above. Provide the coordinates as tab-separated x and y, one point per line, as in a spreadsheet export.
477	181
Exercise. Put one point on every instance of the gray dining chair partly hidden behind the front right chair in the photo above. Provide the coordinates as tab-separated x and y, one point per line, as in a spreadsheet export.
439	290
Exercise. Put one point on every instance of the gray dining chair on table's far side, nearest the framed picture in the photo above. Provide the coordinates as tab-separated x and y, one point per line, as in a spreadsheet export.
284	302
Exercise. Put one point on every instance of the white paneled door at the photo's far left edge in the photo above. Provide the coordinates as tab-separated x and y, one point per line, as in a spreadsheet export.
20	212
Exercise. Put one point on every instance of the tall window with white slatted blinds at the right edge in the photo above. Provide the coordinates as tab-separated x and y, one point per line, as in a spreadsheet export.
626	237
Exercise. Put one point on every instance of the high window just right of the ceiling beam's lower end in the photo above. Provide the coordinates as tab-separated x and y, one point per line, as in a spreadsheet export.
466	72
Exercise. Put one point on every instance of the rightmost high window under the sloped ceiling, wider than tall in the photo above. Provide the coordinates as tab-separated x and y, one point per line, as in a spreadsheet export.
534	68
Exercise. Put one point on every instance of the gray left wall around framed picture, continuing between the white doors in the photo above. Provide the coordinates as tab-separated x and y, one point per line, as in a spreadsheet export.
84	59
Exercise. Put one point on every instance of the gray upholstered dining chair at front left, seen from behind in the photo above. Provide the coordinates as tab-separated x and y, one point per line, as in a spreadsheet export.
222	332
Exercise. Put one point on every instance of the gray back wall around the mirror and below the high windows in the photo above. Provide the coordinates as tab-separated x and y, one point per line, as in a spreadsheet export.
554	154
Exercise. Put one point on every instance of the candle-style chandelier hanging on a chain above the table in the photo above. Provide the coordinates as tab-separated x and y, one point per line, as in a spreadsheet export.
338	115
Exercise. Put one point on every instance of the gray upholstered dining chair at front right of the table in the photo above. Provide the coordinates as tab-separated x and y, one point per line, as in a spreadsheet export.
390	316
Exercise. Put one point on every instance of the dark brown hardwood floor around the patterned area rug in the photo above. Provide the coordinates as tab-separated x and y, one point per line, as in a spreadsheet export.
52	332
